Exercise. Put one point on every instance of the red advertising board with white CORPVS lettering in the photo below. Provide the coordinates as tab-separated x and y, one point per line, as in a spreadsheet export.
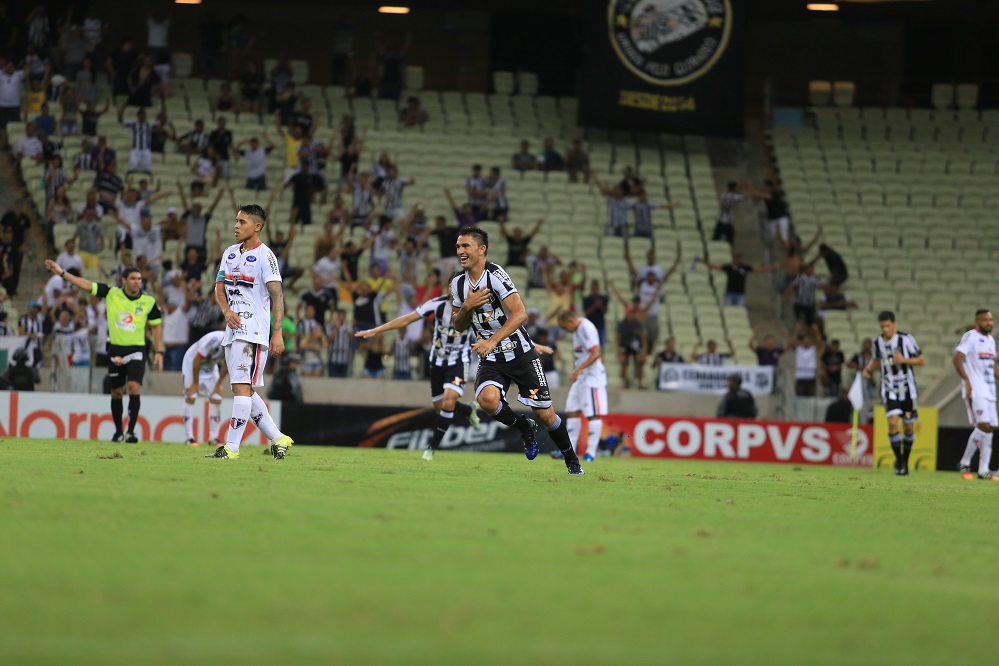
733	439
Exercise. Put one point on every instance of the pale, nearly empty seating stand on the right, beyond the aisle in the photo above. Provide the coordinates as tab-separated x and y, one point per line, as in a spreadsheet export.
905	195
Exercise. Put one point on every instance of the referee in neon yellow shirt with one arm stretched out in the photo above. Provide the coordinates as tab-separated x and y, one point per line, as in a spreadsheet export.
129	309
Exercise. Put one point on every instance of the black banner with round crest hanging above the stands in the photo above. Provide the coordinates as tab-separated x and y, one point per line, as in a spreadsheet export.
670	66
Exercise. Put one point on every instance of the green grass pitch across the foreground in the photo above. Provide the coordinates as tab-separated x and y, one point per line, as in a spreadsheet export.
345	556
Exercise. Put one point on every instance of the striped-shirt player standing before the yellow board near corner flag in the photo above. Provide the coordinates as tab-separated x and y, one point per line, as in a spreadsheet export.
897	353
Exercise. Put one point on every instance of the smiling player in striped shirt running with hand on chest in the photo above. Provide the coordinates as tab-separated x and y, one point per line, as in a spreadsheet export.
489	304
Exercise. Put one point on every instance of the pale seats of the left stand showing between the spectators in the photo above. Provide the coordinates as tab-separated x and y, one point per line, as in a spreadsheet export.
440	155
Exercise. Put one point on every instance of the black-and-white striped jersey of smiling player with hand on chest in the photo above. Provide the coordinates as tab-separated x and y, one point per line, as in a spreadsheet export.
490	317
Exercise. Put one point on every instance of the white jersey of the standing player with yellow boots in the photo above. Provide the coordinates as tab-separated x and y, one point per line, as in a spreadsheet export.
245	275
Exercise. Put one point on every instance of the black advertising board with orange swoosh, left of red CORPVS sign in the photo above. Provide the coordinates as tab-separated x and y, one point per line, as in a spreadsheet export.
396	428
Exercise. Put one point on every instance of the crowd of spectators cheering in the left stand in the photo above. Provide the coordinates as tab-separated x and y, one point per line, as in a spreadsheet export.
374	244
